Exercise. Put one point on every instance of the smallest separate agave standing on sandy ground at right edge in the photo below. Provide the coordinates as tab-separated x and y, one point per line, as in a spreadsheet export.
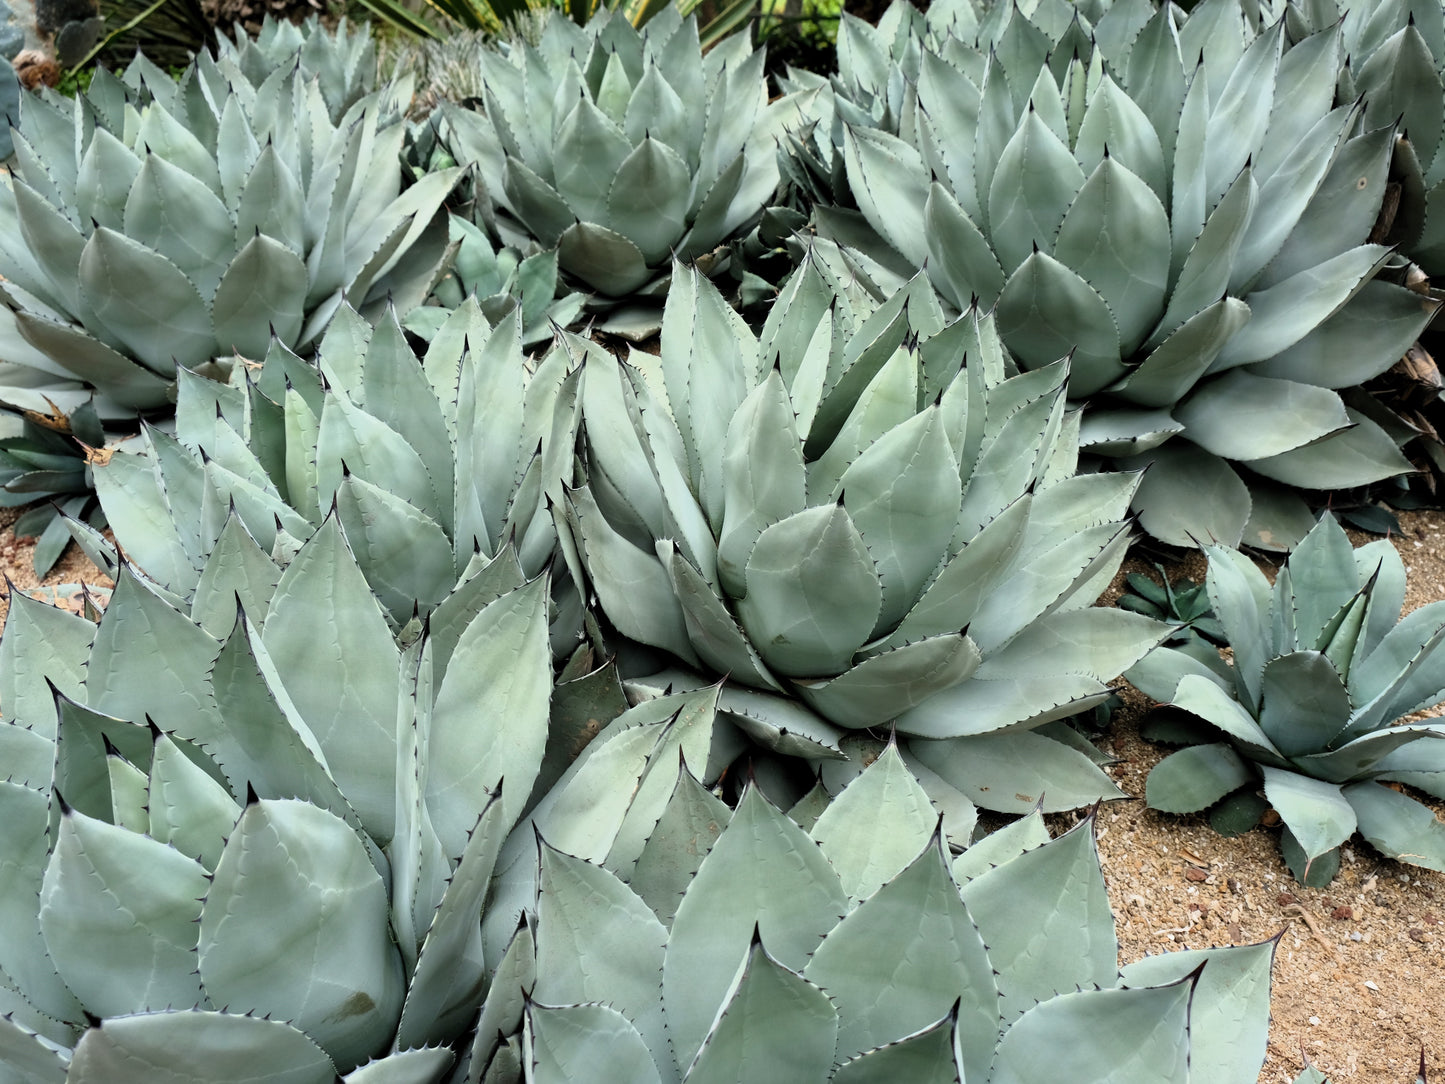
1313	707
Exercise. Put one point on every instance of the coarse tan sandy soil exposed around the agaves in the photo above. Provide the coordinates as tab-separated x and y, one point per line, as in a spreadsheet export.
1360	968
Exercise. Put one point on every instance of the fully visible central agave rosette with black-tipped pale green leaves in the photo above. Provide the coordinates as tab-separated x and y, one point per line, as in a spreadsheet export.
859	531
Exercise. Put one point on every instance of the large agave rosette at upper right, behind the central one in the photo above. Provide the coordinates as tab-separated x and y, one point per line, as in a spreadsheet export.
1194	231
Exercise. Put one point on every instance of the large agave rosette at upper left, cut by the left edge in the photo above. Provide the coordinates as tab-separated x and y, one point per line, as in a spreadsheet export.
154	225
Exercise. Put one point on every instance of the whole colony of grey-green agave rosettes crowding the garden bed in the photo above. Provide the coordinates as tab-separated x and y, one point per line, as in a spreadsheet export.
480	705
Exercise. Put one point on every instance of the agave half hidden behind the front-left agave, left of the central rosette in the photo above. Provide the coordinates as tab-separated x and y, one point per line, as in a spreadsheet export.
431	466
